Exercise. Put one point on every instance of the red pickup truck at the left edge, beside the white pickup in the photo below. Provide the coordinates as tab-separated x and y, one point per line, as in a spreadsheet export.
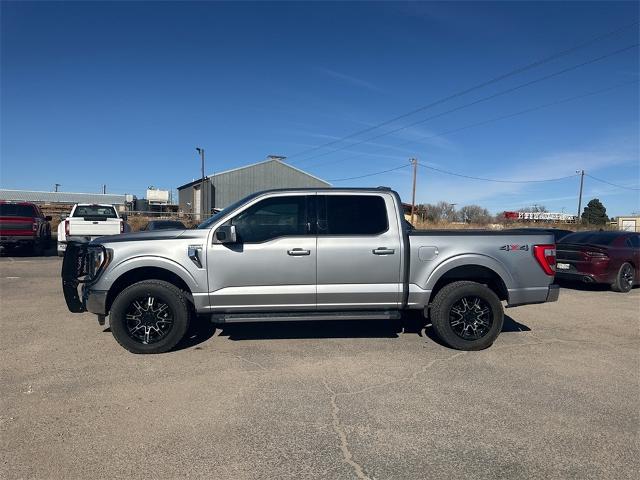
22	224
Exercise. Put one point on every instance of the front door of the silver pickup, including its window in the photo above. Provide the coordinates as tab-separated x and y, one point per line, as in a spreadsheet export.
272	267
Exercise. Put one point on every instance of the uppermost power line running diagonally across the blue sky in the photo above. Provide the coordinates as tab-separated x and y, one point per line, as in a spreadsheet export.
473	88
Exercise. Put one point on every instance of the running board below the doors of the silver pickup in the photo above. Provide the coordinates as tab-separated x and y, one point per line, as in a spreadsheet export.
304	316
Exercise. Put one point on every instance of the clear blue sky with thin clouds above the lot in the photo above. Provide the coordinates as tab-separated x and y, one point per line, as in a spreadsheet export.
121	93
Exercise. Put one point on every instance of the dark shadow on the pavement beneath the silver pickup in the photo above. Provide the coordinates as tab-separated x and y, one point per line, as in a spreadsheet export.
202	330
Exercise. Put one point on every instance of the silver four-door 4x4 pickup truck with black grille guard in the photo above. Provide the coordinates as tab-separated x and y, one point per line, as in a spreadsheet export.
319	254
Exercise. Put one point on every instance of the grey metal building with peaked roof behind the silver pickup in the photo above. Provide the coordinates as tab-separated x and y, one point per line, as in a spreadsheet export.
224	188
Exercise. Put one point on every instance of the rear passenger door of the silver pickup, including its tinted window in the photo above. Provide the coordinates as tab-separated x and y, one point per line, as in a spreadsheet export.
359	252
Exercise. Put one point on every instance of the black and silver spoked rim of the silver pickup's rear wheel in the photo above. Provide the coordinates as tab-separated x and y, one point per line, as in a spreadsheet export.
471	317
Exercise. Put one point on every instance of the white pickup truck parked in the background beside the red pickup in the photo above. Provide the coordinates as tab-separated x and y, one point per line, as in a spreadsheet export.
88	221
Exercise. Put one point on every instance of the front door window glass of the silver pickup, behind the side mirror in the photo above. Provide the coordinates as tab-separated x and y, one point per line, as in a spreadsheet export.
271	218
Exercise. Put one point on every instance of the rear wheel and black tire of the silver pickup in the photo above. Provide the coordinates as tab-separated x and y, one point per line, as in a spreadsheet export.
473	325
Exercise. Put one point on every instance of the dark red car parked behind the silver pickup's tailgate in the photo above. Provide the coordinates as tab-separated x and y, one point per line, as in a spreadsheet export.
600	257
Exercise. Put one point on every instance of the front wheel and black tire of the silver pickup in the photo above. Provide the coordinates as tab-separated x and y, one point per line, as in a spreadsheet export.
162	328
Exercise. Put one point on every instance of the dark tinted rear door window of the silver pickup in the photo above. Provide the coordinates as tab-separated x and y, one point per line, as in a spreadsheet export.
352	215
